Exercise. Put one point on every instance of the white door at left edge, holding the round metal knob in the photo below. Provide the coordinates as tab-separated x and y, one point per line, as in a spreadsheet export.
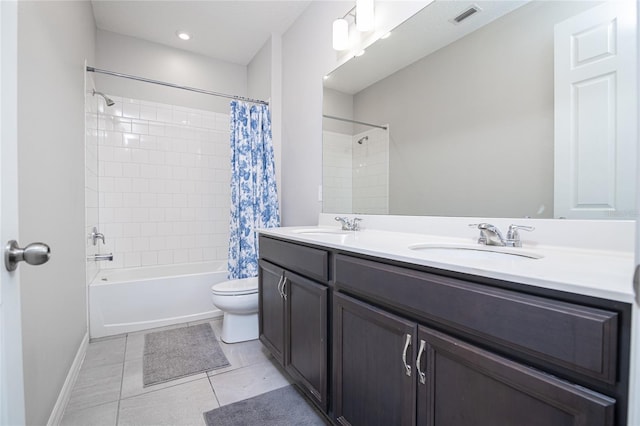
12	409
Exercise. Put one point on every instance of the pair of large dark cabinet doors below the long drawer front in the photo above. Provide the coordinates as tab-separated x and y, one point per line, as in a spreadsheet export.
390	370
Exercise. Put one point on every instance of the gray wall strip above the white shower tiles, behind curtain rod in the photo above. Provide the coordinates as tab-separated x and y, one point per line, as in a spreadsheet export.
130	55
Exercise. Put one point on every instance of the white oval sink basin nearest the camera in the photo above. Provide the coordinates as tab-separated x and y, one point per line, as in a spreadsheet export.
463	251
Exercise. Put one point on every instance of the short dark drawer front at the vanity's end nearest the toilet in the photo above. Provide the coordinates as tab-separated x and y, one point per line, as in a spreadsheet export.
311	262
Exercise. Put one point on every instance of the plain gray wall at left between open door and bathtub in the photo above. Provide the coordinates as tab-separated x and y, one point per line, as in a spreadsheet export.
54	38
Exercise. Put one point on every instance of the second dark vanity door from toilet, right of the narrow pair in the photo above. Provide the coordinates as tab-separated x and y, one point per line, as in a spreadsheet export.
306	325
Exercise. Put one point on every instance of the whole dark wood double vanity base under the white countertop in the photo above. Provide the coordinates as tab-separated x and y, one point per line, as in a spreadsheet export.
377	342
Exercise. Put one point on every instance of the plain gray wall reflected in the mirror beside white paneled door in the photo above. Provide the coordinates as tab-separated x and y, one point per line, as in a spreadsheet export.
472	124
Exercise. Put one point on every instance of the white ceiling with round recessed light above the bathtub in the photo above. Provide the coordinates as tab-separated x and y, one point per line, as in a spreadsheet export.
232	31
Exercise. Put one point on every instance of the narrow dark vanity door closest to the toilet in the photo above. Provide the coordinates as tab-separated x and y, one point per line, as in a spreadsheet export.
271	309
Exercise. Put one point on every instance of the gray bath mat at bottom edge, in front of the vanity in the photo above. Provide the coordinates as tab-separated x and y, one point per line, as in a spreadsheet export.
281	407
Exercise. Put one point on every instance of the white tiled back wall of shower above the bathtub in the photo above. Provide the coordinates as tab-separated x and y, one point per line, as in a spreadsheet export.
163	183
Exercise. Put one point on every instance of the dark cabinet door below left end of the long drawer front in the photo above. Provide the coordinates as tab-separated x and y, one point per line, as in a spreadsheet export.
373	377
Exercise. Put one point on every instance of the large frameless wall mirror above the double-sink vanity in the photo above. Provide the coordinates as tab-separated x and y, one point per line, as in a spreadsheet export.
473	118
